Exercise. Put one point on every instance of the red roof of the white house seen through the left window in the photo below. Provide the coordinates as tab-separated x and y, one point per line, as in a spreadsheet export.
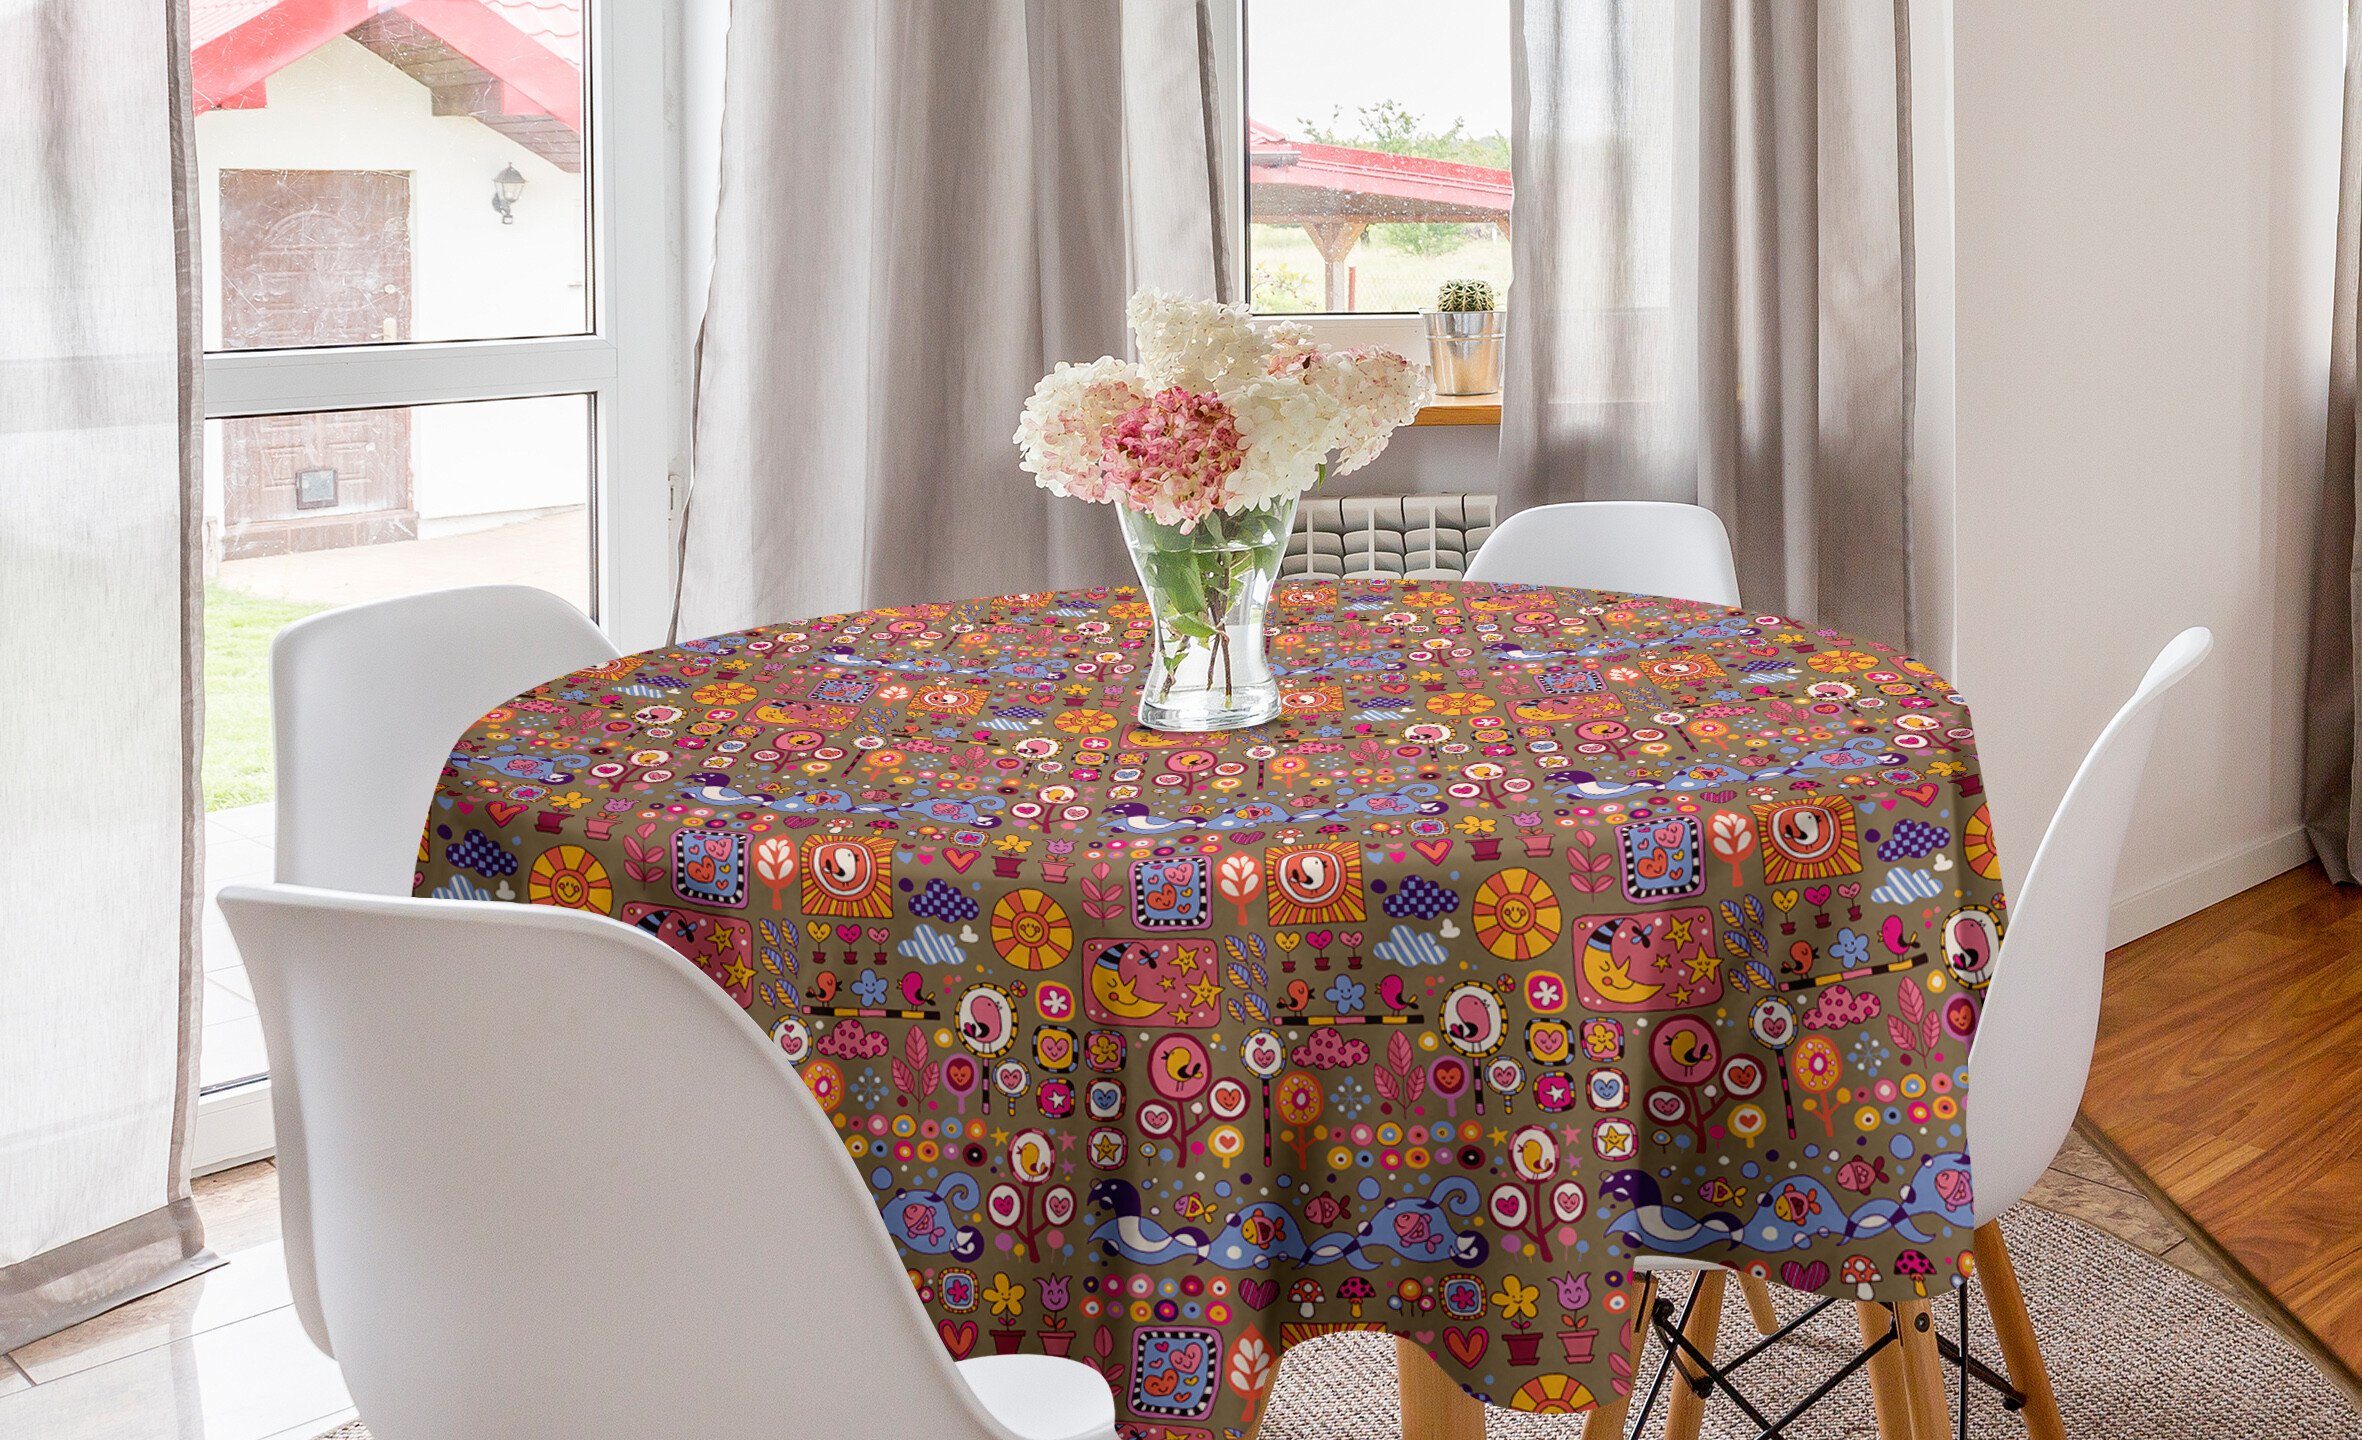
530	48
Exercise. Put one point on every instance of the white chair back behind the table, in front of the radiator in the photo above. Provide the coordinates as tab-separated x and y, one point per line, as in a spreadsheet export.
1636	546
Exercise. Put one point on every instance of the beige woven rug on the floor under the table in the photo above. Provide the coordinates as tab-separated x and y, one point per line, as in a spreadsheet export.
2139	1351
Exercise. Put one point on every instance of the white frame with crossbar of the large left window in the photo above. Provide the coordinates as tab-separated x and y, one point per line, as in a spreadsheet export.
632	365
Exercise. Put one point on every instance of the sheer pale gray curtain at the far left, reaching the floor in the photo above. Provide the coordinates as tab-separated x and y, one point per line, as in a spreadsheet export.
100	648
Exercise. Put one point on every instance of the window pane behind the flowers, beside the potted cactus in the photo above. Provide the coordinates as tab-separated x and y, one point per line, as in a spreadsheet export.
1378	152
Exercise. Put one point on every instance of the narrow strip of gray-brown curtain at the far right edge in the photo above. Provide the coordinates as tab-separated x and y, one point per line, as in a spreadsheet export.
2332	745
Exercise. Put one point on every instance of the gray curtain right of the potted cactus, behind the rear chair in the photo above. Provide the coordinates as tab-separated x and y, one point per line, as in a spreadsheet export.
1714	282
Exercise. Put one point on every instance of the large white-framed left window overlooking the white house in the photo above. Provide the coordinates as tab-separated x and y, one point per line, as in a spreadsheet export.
417	377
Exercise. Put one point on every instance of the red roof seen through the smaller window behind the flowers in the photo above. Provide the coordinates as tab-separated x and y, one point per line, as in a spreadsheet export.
1338	181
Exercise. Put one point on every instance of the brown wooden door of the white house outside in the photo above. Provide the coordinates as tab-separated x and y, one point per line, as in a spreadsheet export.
315	258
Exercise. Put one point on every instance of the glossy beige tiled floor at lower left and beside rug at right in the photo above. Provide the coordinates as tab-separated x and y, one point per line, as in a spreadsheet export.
223	1356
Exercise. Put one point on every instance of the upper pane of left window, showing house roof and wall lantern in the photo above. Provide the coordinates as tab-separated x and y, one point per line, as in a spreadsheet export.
410	176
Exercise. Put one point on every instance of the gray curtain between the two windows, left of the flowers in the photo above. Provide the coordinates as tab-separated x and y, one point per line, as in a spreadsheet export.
925	207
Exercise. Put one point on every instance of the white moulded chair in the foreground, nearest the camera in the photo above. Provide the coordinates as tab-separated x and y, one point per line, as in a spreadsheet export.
561	1186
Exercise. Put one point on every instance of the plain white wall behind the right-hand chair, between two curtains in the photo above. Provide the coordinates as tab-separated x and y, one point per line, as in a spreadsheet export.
2144	256
